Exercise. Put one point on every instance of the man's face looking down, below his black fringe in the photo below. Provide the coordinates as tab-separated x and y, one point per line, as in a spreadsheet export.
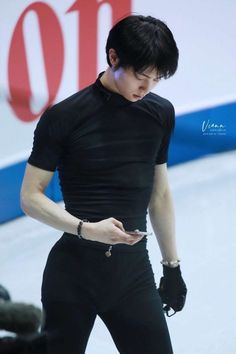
132	85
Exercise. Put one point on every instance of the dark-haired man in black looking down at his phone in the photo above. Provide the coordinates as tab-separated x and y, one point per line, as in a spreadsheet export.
110	142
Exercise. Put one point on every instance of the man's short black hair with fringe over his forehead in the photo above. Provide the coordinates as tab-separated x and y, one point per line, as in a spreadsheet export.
143	42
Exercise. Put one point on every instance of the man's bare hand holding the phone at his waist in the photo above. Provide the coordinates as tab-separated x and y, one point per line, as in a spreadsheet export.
109	231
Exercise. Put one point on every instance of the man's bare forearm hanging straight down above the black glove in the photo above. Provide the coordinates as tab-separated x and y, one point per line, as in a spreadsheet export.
163	222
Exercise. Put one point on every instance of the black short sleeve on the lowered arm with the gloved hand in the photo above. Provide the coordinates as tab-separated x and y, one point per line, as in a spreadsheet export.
168	127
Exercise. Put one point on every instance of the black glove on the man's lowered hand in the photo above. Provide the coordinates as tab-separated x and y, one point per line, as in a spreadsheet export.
172	289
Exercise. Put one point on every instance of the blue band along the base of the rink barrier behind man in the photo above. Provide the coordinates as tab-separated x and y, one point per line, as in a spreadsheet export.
189	142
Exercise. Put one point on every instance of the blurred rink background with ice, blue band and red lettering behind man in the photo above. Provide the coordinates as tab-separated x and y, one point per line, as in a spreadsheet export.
51	49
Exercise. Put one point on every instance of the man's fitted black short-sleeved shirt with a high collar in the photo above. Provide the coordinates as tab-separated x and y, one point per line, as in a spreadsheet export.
105	149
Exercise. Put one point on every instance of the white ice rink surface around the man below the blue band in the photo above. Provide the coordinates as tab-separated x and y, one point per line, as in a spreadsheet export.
204	194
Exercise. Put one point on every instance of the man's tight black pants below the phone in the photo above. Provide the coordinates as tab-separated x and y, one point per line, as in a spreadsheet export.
80	282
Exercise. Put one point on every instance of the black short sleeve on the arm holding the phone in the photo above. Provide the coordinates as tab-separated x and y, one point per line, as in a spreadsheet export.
48	141
